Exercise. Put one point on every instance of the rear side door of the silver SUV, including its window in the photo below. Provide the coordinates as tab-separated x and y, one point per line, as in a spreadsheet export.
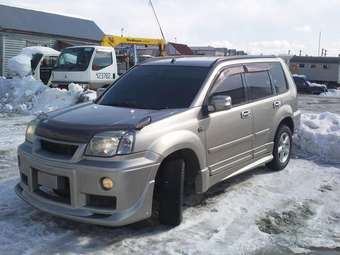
263	105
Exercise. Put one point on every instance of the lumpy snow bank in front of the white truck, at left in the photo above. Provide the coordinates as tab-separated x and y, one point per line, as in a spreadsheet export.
29	96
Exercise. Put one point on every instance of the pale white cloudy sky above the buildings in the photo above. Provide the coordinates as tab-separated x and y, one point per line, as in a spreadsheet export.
257	26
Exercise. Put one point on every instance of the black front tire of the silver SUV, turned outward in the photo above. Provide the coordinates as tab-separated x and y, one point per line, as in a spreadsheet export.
171	186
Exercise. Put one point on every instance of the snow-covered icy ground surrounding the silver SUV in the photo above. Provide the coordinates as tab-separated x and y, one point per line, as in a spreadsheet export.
260	212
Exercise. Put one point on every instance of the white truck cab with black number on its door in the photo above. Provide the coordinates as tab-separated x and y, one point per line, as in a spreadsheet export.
91	66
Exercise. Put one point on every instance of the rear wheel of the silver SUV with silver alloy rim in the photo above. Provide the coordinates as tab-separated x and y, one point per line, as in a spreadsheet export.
282	148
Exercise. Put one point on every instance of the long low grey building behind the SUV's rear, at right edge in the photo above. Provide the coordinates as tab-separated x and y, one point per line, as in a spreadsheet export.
318	69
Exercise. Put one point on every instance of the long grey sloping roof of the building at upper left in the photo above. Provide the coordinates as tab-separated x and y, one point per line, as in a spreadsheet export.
13	18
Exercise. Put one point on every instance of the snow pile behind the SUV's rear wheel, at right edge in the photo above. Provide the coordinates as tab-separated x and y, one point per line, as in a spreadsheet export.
319	134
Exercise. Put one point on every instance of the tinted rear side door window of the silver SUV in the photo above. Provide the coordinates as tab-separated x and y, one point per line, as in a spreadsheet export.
259	85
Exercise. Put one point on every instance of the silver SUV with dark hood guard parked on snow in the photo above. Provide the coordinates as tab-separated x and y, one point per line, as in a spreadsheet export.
167	124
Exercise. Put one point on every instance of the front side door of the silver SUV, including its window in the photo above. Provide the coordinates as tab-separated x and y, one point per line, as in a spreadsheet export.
229	132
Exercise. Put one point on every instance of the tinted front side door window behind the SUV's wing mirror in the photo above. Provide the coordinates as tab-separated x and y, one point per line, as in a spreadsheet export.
230	84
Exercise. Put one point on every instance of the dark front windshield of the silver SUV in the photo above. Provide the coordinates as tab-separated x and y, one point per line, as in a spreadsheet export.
156	87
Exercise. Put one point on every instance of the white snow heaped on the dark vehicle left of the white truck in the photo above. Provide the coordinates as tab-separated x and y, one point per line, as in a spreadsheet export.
21	64
